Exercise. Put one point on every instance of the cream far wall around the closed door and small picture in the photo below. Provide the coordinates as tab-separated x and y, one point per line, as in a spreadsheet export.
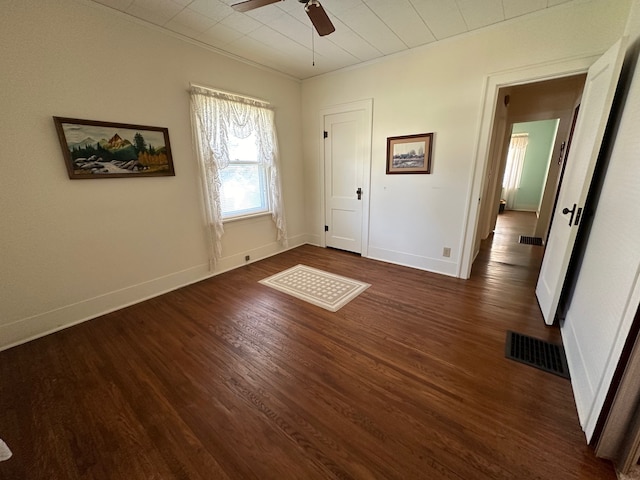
441	89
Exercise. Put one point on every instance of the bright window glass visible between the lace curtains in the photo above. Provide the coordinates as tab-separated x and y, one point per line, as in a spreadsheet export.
243	181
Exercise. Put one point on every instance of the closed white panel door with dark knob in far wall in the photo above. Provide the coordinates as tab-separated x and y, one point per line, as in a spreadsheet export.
345	154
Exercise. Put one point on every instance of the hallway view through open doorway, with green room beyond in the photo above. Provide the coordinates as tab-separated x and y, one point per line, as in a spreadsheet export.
544	111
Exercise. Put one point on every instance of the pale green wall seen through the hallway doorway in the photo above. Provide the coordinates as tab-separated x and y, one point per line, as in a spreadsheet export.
542	136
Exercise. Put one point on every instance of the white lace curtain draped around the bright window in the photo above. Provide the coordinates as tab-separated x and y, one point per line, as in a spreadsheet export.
215	116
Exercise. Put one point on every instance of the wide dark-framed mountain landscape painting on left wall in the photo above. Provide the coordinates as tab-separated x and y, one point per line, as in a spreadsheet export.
94	149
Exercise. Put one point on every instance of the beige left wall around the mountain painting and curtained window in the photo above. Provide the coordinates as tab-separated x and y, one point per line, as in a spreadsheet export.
72	249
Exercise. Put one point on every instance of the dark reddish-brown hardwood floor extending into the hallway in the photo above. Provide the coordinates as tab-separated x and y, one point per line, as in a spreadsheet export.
229	379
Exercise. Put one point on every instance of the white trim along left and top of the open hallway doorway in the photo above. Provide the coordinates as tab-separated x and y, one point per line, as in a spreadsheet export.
476	185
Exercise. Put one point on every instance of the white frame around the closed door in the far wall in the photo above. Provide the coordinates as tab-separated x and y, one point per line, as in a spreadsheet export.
365	105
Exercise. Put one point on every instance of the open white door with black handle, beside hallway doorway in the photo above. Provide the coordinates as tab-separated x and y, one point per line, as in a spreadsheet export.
595	107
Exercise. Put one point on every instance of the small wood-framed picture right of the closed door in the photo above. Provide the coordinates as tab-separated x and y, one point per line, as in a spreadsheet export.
409	153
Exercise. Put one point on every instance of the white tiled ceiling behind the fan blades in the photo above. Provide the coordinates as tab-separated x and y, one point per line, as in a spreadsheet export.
279	36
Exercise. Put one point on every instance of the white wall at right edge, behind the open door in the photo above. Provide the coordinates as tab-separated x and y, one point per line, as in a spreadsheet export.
605	299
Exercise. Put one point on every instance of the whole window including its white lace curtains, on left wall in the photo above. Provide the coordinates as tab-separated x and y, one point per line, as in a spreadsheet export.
237	149
